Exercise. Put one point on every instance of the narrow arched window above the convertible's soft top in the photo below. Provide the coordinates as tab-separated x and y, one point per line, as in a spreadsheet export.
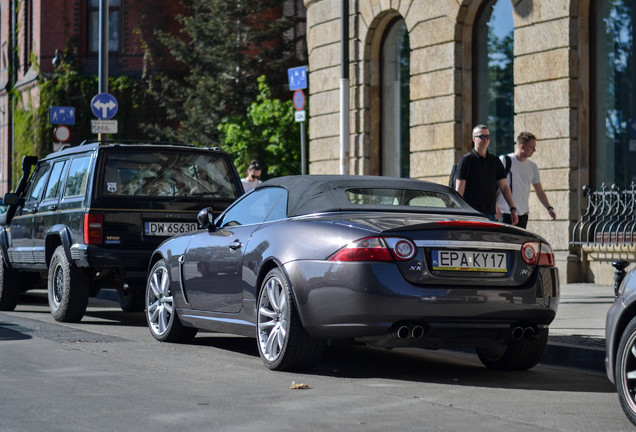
395	61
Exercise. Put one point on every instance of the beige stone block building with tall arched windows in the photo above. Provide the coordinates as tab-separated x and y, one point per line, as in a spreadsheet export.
424	72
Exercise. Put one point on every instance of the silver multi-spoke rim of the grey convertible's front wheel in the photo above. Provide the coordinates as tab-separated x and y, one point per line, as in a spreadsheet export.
159	302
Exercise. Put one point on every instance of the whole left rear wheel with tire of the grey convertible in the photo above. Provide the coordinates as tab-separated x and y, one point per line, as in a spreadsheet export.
283	343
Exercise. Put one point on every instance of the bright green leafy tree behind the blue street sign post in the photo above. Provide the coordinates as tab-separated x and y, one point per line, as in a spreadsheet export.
268	132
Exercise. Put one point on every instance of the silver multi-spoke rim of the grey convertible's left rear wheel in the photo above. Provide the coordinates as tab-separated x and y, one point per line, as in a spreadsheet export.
273	316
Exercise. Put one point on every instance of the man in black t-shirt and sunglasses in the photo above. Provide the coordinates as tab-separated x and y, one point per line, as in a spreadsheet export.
479	174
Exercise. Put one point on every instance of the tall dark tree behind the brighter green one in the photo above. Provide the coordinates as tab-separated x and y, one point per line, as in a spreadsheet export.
221	50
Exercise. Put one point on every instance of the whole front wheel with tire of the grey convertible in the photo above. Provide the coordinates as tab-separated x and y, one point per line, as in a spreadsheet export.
163	322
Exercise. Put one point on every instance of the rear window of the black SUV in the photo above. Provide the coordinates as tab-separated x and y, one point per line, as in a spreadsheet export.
167	174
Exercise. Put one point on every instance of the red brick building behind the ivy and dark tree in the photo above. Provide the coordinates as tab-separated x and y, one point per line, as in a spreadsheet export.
43	28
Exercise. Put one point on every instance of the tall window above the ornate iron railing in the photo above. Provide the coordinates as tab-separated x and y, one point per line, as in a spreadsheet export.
613	131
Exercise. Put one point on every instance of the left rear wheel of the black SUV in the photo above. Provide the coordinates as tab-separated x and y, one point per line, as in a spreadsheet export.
68	288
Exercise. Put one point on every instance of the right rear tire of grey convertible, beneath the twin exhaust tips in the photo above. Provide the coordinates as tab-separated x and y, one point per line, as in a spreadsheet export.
519	355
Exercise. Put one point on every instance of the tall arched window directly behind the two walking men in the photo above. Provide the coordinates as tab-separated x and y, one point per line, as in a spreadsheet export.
493	85
